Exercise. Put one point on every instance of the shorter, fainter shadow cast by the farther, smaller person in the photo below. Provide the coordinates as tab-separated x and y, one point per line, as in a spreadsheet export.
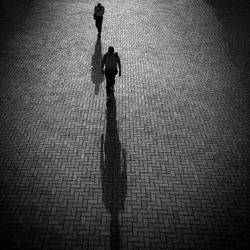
96	72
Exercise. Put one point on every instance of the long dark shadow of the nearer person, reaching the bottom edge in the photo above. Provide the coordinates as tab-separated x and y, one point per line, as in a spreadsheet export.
113	174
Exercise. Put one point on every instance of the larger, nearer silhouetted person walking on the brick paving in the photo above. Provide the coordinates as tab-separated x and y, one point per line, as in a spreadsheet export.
110	61
